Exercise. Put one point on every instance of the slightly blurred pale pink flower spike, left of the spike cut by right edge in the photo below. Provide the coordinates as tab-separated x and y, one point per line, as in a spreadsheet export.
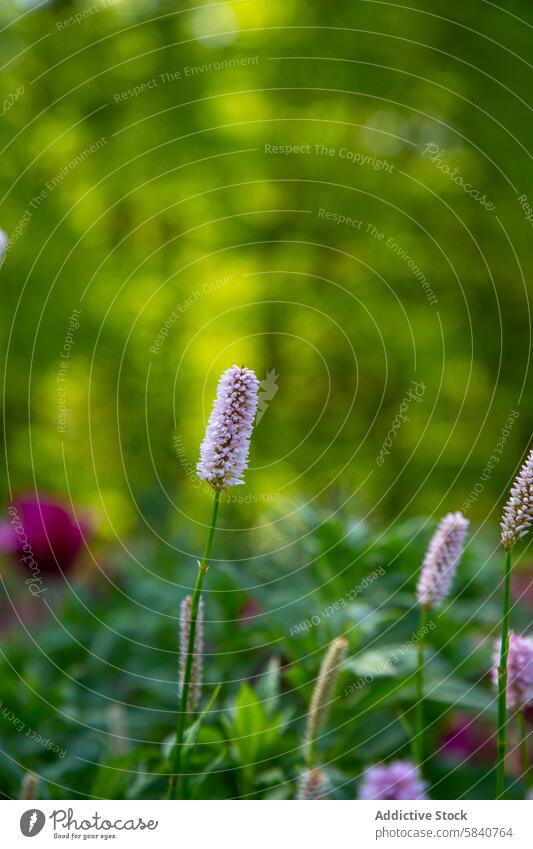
440	562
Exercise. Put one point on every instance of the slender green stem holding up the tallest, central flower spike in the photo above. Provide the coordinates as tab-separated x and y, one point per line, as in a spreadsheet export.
176	756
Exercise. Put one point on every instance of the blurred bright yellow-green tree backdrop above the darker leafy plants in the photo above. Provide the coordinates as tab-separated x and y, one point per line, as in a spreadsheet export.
333	192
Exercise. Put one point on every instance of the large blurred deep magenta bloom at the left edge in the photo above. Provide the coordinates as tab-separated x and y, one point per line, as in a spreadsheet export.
41	534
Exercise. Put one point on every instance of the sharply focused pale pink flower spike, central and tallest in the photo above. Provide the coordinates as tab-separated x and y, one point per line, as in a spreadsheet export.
224	451
